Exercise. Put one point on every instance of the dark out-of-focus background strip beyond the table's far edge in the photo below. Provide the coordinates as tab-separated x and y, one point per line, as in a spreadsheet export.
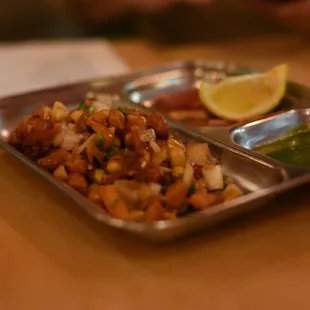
180	23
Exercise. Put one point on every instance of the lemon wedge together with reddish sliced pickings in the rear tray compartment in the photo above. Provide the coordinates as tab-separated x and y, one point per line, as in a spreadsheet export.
234	99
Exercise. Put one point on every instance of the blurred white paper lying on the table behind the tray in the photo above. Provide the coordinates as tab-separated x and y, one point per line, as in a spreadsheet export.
36	65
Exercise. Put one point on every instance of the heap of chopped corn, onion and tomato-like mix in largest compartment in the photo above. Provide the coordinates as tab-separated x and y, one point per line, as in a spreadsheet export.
125	160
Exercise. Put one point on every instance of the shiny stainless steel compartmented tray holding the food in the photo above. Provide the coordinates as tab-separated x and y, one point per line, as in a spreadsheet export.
260	177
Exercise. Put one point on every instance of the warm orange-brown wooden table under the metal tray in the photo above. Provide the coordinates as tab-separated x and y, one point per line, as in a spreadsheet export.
54	257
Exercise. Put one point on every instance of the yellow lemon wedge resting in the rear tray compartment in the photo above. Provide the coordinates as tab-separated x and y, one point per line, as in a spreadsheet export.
246	96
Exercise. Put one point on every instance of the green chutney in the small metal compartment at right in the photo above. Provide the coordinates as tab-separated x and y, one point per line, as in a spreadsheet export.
293	149
